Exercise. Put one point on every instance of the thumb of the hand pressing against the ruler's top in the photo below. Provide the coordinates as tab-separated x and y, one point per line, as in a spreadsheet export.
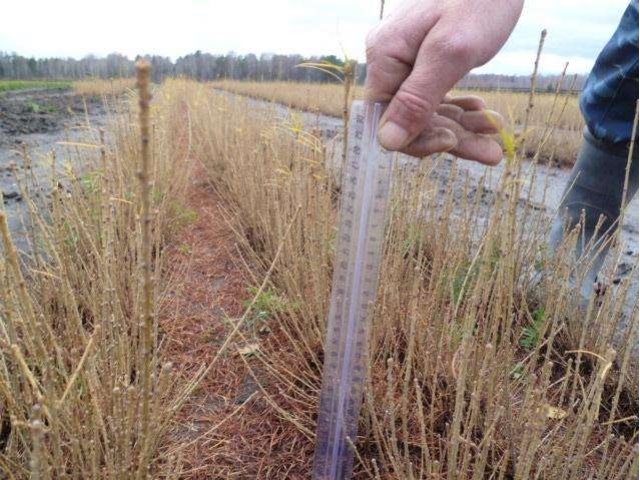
439	65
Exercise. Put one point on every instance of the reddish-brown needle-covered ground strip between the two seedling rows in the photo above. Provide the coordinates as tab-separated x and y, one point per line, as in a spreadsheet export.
227	430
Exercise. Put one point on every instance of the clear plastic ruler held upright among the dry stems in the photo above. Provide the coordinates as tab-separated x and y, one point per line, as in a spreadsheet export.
365	196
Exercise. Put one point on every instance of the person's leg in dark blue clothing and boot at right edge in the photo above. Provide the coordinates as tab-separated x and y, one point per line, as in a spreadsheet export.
593	197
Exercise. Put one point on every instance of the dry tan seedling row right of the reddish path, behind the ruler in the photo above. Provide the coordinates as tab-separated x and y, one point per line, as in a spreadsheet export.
455	389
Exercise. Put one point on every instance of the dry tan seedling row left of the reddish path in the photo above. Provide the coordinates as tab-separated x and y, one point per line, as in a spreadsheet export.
83	391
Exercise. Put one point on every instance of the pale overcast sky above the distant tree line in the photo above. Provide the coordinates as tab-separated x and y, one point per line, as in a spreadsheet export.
577	29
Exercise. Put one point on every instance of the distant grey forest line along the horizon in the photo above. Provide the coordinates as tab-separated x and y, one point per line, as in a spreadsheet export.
205	66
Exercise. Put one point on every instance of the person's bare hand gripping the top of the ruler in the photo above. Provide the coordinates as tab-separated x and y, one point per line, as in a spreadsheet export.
417	55
